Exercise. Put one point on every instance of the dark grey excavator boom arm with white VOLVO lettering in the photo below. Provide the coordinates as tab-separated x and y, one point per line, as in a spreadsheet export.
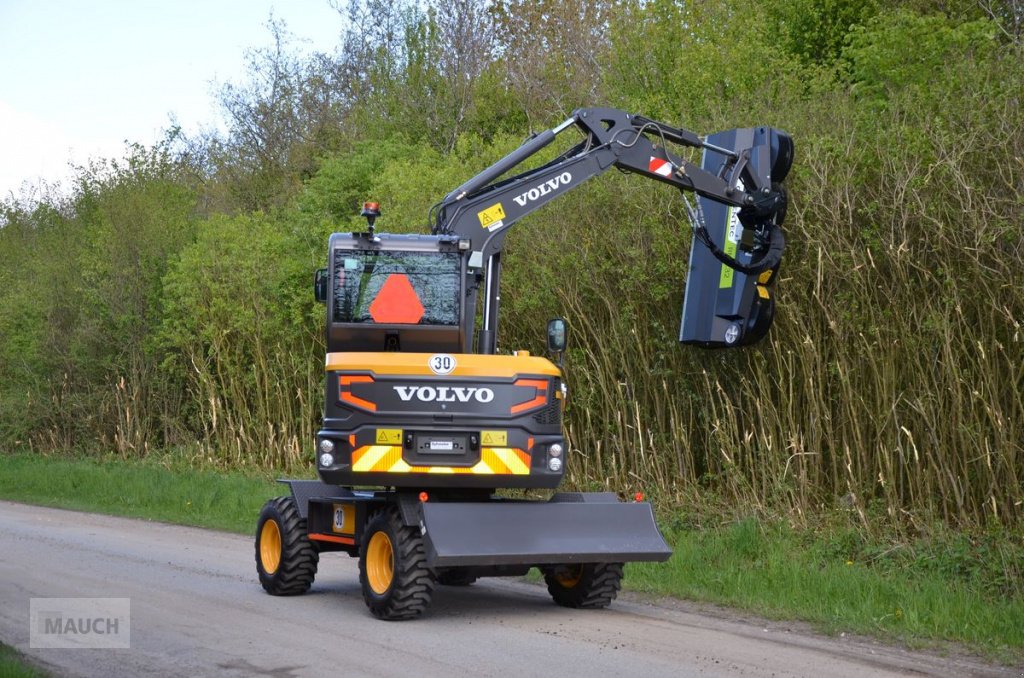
747	179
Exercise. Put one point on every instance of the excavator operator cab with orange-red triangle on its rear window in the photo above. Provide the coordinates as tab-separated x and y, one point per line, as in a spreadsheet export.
389	292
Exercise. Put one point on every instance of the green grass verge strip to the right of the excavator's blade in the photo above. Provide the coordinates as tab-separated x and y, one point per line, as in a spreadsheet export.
912	592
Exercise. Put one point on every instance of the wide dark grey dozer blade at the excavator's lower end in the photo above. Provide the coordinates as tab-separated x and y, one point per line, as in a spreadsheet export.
463	534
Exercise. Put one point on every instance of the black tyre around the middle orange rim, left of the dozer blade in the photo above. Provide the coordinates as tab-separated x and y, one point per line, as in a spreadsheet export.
412	585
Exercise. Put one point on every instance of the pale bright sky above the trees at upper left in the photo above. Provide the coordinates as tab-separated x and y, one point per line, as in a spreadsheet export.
78	79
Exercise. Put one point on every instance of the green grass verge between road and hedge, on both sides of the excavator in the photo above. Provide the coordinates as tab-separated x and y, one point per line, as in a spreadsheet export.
950	587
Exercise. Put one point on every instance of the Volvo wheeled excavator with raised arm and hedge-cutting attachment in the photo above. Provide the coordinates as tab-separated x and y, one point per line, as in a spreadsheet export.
424	422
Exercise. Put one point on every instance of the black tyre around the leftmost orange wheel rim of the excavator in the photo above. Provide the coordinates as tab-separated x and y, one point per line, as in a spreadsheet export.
297	557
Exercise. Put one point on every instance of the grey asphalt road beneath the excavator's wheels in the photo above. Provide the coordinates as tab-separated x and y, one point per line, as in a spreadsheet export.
197	609
